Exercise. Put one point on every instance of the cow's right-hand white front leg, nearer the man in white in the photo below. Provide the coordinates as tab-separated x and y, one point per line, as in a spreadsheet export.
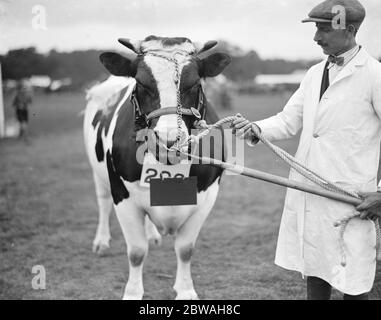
184	246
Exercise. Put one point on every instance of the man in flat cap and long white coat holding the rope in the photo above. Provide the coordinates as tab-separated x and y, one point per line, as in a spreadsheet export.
338	107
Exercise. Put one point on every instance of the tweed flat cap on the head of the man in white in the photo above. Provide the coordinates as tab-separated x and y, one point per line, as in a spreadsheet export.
327	10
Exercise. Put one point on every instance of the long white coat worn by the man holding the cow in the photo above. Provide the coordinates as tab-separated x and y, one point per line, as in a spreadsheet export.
340	140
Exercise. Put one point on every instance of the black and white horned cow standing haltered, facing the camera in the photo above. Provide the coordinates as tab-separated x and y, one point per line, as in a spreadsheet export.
144	87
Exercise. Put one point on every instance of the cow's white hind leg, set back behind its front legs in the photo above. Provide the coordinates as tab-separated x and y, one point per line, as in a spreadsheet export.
102	238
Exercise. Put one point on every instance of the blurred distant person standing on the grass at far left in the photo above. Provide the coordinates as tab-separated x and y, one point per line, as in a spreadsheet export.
21	104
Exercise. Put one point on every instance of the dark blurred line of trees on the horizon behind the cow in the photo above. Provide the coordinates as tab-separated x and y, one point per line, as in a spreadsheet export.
83	67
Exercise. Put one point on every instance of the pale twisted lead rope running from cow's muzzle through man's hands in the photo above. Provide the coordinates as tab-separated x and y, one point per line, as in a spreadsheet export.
300	168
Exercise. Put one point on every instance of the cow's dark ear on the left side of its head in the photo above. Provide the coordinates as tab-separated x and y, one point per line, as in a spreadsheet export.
118	65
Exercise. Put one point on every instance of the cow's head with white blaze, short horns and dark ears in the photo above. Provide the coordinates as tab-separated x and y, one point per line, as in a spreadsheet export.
159	64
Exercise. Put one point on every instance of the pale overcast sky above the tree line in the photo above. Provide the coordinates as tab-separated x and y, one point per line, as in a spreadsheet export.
271	27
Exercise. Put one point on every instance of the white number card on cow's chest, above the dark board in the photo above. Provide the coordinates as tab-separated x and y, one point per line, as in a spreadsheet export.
152	169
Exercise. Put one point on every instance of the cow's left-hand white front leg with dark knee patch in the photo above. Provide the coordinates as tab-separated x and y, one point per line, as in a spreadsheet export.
131	220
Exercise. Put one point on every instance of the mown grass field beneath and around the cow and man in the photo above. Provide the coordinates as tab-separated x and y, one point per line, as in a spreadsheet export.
48	216
